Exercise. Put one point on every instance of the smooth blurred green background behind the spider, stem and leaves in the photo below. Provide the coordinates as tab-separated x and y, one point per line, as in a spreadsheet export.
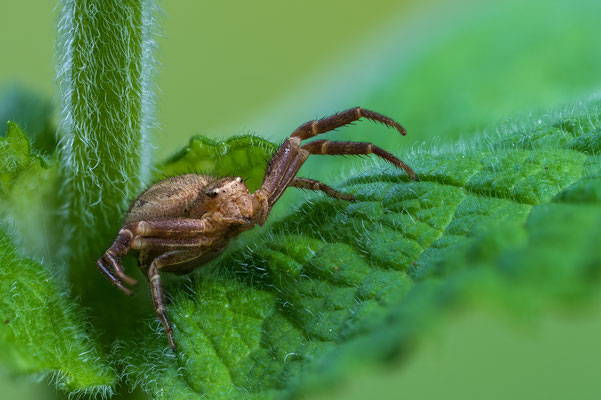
445	70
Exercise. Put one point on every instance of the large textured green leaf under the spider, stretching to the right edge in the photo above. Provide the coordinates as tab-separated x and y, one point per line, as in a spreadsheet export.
511	221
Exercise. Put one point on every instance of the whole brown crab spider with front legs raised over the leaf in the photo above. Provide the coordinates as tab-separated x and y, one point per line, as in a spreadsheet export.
181	223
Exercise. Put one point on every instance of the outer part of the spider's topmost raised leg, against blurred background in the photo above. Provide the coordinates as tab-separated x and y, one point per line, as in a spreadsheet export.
327	124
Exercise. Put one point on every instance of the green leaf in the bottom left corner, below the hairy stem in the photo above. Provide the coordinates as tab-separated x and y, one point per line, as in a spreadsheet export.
41	331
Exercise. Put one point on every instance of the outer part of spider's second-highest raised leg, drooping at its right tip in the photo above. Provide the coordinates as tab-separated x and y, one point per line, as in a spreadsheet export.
355	148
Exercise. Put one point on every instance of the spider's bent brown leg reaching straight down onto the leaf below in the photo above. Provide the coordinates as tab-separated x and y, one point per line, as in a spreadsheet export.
154	277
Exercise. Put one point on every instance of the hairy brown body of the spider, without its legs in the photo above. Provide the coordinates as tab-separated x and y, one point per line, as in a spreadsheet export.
185	197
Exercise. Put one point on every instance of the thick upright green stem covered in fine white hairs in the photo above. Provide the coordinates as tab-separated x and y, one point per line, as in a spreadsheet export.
105	64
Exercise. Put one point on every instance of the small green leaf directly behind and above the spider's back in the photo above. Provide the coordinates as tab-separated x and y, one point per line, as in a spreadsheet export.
244	155
